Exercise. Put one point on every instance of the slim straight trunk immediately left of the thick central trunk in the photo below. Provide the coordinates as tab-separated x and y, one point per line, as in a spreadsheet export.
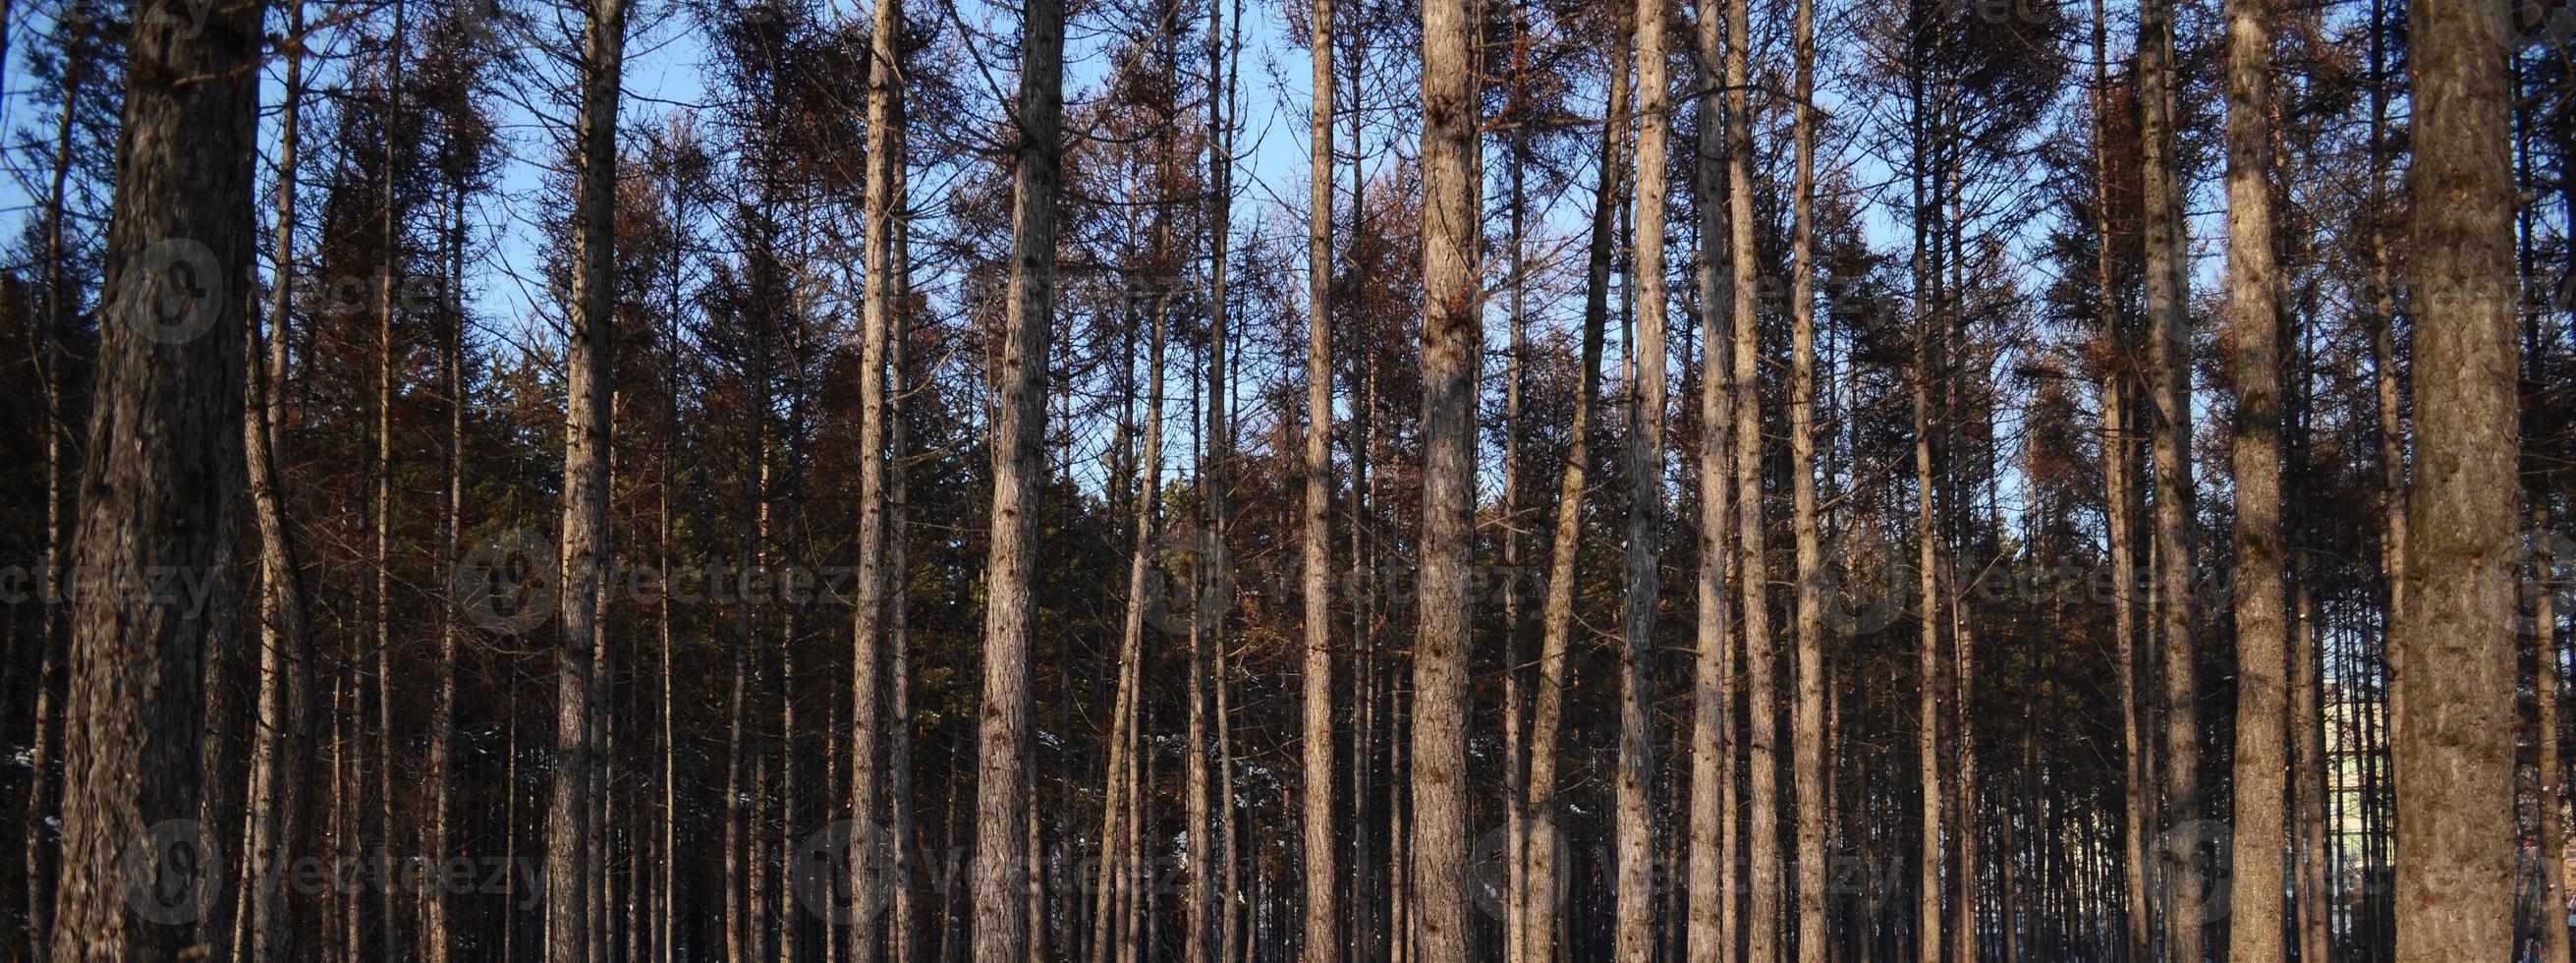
1315	534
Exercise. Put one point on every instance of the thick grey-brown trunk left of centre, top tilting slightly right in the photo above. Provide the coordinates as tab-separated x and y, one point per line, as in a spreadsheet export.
1001	854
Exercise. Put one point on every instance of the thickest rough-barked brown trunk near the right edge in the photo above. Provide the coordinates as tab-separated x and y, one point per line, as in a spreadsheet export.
2456	730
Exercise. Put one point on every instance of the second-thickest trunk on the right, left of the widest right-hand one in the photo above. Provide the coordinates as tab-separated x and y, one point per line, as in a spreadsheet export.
2263	632
